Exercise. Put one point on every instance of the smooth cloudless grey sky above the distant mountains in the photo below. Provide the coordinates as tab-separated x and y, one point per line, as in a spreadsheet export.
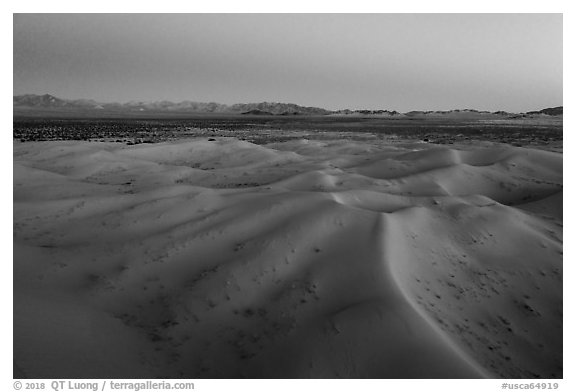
373	61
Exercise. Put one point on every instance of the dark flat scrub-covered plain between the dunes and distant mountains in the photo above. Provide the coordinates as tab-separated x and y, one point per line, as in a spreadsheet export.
265	129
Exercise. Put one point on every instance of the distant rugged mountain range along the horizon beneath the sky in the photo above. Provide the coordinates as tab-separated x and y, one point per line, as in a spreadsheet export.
31	103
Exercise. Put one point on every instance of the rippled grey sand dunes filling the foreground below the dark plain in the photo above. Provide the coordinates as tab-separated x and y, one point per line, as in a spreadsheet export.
299	259
